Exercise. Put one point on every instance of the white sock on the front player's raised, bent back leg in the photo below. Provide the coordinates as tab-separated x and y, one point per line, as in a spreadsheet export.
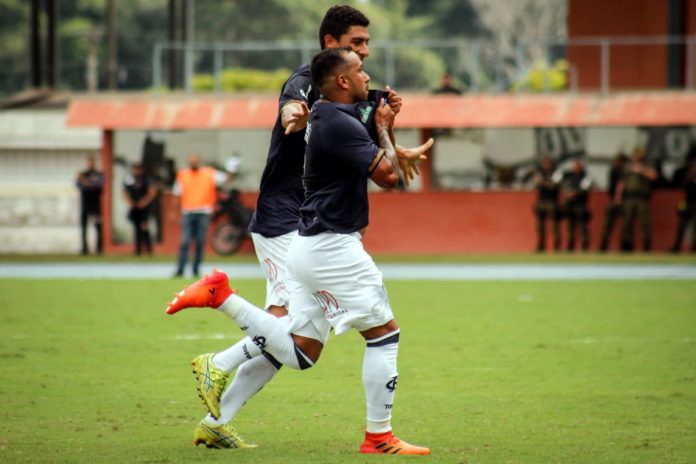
268	332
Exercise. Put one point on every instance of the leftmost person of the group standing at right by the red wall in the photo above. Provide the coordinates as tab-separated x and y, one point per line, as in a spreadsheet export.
547	183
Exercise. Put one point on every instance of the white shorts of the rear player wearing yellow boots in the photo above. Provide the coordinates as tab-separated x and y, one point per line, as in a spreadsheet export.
272	255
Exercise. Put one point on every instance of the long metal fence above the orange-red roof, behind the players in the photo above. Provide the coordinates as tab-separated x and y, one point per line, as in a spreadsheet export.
478	66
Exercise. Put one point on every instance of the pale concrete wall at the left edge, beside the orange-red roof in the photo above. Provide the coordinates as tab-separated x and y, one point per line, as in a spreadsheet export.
39	161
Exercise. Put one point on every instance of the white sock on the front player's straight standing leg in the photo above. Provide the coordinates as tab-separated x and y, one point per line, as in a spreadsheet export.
379	379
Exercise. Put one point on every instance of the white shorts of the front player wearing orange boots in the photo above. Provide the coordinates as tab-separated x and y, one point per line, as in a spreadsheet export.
334	283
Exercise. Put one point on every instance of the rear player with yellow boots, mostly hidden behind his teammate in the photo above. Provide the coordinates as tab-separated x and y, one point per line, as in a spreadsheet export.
273	228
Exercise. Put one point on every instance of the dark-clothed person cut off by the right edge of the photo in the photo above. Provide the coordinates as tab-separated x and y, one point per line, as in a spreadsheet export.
685	178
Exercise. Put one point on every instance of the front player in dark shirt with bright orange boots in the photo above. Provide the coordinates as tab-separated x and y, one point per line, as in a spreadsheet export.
334	283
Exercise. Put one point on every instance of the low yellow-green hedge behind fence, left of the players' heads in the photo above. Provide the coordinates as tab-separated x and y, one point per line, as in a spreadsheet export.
239	80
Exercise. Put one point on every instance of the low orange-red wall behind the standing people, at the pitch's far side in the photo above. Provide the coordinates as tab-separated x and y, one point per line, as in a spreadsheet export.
442	223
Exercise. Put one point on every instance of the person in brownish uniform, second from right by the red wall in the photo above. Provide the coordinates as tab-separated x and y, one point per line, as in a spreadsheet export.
635	188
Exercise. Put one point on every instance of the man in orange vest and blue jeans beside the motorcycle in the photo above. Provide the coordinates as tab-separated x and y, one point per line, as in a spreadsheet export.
195	186
